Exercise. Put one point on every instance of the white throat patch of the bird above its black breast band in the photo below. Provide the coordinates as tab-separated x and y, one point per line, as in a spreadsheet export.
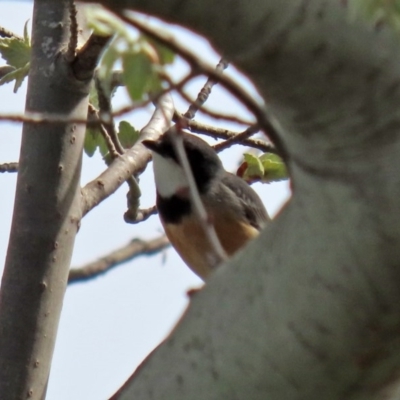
169	176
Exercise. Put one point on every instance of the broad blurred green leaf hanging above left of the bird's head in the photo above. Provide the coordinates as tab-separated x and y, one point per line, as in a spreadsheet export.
137	74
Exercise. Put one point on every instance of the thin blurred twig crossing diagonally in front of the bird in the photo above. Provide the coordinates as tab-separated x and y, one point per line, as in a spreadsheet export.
218	254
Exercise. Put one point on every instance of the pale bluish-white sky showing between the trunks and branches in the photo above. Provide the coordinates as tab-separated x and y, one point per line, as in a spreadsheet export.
109	324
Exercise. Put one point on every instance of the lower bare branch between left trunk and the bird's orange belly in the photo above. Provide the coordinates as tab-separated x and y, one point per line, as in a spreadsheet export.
133	249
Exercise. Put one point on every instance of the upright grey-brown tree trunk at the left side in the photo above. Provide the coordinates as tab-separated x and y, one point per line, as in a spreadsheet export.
47	211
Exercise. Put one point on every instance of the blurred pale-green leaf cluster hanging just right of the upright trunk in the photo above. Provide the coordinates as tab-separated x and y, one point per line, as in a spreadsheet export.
142	60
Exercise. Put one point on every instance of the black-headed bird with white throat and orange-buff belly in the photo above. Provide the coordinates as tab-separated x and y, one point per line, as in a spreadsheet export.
233	207
